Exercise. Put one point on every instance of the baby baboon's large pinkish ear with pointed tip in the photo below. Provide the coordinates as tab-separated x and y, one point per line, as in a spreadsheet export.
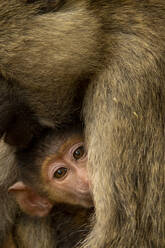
30	201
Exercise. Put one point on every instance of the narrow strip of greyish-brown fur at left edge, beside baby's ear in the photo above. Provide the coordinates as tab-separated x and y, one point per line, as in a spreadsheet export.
8	175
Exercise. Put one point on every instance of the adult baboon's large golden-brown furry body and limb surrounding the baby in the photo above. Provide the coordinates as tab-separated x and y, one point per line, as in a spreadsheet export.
114	51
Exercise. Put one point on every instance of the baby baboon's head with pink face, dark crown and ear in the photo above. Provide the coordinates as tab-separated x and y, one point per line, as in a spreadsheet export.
53	171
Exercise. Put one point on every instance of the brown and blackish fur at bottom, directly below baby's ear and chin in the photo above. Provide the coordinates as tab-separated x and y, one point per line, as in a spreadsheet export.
64	228
